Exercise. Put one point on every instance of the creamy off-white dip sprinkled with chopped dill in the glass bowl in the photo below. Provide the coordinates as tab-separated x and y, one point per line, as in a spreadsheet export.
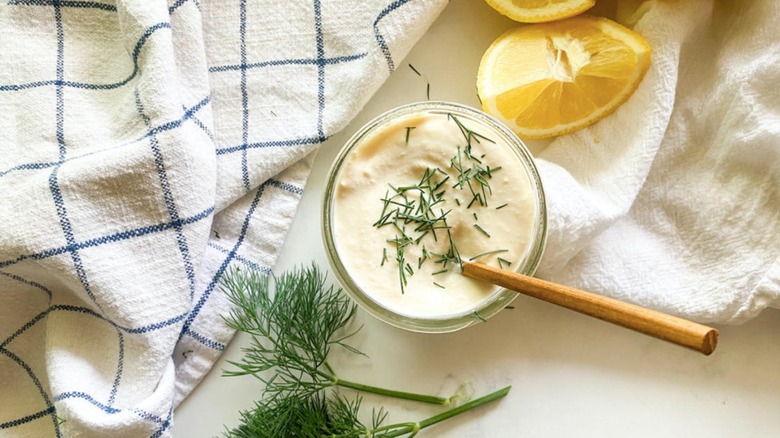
376	177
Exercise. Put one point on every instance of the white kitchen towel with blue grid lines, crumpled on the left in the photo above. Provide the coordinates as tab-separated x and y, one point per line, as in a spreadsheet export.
145	147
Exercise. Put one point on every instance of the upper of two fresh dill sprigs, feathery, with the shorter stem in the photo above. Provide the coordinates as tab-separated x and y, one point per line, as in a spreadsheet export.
292	332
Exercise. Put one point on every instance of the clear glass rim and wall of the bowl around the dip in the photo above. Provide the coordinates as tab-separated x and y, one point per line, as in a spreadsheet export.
499	298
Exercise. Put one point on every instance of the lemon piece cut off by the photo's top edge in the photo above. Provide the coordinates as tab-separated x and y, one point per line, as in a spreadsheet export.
539	11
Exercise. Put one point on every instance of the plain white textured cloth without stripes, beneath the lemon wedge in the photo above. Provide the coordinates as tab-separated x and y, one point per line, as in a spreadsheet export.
673	201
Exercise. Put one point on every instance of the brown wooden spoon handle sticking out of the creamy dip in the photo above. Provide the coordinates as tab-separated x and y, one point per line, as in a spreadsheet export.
660	325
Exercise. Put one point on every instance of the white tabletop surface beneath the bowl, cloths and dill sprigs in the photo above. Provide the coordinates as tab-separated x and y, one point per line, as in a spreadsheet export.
571	375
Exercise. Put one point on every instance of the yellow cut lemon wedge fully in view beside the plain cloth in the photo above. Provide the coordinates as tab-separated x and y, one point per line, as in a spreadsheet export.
549	79
